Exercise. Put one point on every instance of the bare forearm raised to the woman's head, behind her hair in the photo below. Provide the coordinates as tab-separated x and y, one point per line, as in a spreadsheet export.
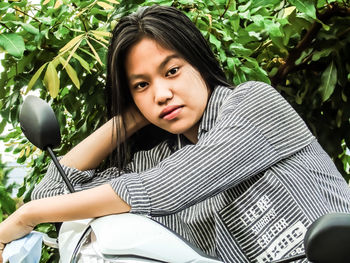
102	141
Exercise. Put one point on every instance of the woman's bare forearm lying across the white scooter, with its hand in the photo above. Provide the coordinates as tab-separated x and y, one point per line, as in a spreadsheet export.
95	202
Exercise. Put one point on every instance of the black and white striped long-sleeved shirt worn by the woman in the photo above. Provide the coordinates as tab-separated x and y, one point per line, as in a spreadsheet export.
245	192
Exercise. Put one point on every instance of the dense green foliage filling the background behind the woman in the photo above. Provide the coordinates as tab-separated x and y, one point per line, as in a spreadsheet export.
58	50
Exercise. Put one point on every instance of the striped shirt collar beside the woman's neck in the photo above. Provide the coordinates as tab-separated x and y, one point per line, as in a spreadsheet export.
212	110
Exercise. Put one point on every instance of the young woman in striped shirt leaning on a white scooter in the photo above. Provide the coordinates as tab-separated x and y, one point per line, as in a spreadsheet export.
233	170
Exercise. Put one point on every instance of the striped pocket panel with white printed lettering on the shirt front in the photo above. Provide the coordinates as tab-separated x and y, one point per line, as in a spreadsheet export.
267	221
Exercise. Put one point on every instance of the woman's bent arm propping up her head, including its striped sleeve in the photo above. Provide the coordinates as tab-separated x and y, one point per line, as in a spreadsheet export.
79	163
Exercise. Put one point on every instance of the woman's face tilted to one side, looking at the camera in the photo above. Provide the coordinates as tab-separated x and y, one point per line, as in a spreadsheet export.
168	91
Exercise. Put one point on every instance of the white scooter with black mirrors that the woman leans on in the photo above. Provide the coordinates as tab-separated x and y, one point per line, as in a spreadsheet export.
135	238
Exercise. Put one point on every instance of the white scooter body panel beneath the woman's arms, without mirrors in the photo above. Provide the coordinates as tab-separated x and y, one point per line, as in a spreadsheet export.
133	237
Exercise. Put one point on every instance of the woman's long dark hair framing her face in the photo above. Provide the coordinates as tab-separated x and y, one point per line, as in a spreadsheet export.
173	30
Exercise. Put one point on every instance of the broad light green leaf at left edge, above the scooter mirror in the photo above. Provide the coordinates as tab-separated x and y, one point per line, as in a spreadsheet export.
13	44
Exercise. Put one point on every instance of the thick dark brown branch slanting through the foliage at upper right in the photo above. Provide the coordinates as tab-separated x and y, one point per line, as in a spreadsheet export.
332	9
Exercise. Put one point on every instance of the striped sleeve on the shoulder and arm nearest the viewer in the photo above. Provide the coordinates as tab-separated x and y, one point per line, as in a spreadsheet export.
249	135
